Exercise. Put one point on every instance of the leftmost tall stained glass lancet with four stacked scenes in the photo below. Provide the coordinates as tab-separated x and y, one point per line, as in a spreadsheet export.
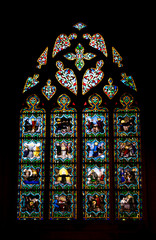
31	161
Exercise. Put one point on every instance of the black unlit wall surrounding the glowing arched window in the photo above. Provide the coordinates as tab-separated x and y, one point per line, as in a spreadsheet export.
28	30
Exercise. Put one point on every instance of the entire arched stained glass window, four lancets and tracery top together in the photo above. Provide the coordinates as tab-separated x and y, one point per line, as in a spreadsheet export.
75	173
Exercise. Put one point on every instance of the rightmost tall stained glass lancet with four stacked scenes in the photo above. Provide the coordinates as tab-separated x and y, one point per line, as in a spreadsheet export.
127	160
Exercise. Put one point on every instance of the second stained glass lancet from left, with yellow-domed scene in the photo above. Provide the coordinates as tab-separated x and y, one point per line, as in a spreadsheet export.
63	165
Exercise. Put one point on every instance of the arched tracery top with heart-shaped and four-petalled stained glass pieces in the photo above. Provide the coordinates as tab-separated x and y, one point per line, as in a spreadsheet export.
82	63
